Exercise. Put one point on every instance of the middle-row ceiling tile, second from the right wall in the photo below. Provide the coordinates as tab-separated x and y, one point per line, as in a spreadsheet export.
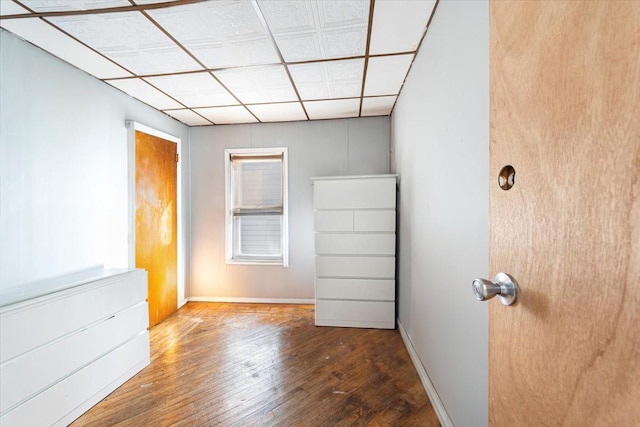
331	79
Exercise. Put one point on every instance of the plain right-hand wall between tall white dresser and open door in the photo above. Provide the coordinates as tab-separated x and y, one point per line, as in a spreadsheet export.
440	147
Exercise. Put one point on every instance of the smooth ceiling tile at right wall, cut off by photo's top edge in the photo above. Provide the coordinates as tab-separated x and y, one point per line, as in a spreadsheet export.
398	26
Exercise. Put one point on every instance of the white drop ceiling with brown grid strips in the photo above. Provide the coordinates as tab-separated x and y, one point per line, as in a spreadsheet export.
212	62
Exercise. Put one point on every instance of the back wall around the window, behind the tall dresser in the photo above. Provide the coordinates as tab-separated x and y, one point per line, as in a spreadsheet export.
321	148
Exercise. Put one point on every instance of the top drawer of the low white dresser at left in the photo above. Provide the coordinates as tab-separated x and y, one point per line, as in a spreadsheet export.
52	319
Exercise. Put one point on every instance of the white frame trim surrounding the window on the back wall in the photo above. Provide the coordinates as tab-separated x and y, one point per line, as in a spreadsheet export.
230	234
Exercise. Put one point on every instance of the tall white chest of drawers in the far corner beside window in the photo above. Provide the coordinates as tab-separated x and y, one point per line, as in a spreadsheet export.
355	242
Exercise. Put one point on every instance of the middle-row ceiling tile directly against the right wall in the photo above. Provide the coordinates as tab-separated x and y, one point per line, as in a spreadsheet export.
386	74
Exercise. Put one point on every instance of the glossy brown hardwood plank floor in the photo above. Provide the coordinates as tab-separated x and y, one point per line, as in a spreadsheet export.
267	365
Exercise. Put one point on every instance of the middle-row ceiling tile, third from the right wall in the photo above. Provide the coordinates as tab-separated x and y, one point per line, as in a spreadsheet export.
258	85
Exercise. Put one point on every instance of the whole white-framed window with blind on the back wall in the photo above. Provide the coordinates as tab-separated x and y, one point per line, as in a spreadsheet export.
256	203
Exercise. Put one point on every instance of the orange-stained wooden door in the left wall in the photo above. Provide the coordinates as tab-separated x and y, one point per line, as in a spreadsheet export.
156	222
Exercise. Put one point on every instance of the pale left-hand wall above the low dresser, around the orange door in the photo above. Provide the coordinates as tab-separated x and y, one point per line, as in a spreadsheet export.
63	165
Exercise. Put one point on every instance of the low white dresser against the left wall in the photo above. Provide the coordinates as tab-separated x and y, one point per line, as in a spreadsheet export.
67	346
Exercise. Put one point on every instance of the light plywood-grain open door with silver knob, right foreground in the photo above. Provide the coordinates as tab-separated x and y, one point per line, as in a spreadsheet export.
565	113
